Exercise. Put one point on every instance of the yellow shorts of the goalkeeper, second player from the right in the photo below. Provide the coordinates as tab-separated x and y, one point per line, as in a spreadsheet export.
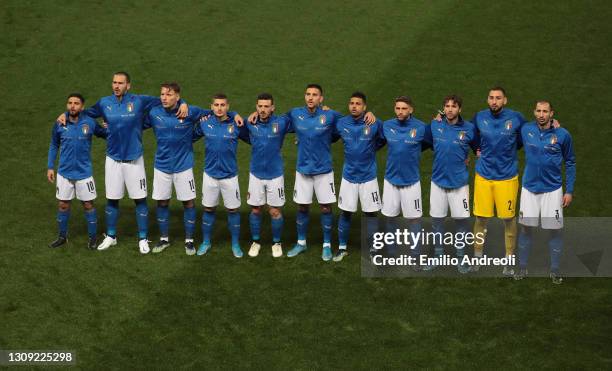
498	193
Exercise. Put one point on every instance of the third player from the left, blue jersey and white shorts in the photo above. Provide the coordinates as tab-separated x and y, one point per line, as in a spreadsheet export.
174	163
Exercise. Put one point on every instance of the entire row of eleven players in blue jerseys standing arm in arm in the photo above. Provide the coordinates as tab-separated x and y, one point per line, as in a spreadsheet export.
494	134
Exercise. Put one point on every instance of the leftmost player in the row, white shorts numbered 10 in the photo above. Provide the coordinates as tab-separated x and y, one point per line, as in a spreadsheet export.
74	174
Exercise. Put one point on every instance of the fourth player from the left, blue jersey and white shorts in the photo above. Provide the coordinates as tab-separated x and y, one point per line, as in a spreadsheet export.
220	176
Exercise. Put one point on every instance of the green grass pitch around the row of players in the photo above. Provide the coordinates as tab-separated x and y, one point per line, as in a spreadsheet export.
118	309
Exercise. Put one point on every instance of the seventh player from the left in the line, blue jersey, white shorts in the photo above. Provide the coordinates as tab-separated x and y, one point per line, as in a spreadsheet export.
359	183
